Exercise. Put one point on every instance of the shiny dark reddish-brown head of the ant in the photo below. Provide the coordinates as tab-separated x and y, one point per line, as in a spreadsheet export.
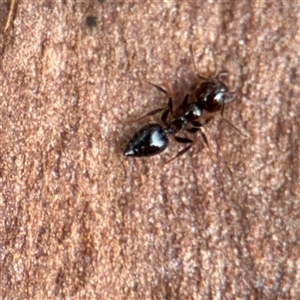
213	94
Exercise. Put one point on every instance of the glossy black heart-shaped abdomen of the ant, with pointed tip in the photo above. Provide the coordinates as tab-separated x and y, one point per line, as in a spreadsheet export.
150	140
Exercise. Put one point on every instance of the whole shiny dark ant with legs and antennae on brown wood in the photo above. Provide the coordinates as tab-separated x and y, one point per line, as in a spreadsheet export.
211	96
